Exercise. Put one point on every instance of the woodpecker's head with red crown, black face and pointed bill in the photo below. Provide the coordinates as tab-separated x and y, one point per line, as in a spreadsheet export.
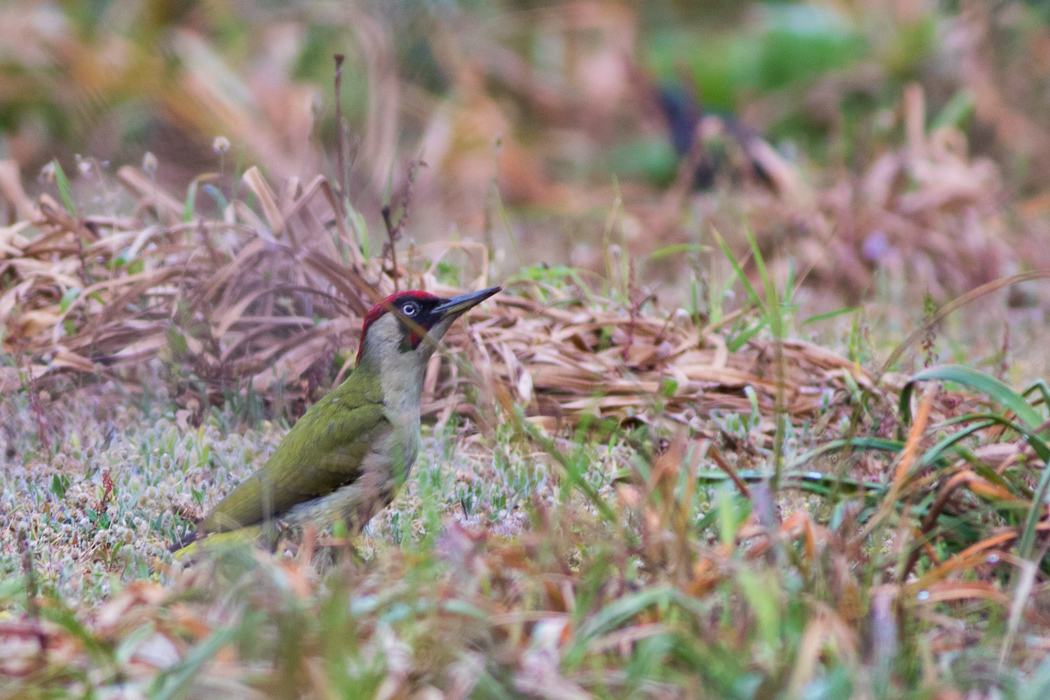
402	324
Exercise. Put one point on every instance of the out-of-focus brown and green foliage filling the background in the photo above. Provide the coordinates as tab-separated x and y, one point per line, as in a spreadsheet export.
535	118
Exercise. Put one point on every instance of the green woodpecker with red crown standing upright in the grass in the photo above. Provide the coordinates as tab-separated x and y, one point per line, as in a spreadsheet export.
347	457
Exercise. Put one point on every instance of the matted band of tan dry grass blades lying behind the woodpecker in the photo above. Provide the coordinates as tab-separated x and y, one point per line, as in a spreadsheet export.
268	303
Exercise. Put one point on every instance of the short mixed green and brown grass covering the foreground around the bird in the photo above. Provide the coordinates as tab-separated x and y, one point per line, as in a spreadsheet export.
610	561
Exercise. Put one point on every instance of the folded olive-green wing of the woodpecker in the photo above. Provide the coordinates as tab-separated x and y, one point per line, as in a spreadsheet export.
323	452
